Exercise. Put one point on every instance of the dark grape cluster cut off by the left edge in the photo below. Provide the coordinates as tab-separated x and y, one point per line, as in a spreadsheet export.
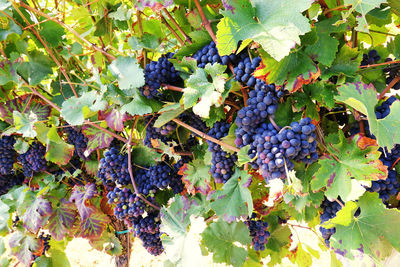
7	155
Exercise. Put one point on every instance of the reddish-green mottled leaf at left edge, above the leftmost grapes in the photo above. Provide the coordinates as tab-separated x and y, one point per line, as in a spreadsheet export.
36	105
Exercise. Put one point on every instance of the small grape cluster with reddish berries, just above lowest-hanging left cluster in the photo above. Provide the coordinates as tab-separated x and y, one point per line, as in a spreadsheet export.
127	203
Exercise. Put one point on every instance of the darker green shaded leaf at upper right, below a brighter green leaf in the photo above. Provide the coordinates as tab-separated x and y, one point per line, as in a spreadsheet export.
346	63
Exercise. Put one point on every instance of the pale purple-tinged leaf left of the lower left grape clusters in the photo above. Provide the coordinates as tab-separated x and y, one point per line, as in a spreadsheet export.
81	196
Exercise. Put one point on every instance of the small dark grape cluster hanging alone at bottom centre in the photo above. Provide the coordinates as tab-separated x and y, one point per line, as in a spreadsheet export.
258	232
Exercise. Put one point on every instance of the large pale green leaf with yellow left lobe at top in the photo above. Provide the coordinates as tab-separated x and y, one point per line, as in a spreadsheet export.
277	27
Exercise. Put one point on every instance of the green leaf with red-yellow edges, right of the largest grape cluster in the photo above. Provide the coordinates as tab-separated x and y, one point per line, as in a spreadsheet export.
345	162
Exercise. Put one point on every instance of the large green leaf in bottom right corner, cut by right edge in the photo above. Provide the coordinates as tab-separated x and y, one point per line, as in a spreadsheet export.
368	230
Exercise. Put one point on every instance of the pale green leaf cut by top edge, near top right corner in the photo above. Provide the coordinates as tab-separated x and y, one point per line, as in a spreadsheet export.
362	7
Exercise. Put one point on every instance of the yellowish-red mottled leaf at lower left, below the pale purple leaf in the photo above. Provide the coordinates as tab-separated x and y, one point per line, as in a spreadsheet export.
93	225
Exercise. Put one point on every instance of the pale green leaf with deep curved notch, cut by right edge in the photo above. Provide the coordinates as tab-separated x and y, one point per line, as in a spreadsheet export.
362	97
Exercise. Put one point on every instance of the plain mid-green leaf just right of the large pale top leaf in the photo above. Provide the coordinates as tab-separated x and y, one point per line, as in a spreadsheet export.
324	50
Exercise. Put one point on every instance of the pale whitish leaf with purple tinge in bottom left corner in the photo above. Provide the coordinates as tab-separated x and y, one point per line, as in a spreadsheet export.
22	245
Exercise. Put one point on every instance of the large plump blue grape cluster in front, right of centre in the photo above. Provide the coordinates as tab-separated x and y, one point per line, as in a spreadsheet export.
275	150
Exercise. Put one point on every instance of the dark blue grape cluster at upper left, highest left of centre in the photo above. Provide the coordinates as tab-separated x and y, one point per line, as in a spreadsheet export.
157	73
